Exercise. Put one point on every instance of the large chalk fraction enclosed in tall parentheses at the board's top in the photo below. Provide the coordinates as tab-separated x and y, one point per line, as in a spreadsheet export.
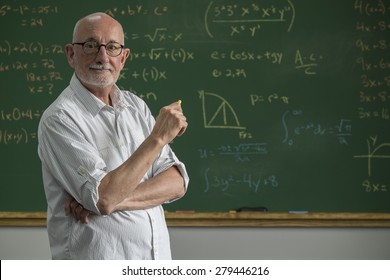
237	18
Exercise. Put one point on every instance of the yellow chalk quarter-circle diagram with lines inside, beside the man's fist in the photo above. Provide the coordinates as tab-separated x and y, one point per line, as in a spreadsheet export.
223	110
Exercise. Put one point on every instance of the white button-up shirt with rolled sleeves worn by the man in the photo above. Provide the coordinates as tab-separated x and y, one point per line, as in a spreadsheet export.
80	140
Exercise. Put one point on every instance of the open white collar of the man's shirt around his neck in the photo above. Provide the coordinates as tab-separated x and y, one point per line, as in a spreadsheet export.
91	102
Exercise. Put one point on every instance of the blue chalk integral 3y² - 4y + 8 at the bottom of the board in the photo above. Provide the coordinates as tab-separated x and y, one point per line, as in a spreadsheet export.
227	183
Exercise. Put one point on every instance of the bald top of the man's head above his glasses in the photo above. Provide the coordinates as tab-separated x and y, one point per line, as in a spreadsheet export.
94	22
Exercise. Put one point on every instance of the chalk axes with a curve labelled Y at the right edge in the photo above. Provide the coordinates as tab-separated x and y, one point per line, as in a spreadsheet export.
376	151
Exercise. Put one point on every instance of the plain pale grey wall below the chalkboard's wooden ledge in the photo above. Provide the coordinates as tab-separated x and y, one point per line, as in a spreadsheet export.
233	243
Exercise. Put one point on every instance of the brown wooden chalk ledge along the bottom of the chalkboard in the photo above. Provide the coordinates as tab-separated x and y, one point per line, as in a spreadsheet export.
220	219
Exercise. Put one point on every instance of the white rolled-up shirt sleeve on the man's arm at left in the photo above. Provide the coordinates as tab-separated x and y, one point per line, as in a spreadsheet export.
72	162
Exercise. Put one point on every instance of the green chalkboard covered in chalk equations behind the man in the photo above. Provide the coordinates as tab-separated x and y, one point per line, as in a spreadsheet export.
287	101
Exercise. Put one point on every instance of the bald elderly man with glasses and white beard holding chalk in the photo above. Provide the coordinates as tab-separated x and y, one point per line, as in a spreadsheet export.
107	166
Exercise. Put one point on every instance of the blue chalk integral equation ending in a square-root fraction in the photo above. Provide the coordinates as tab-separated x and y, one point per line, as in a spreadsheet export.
342	130
